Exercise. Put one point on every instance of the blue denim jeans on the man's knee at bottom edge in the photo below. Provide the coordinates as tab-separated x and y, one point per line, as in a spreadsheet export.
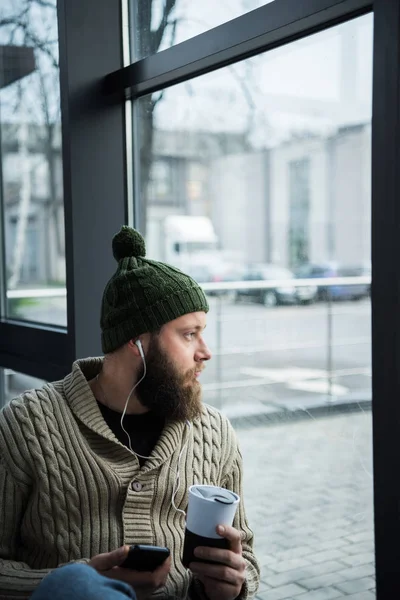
81	582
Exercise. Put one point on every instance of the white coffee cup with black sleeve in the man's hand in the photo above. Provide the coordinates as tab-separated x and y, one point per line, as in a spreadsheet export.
208	507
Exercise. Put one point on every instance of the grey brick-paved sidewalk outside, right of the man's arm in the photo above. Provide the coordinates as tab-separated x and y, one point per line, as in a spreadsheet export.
308	494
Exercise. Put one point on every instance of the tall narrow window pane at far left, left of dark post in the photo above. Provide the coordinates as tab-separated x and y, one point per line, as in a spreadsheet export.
31	162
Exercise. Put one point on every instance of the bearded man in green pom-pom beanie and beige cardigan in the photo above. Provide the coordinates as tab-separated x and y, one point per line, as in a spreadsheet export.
104	458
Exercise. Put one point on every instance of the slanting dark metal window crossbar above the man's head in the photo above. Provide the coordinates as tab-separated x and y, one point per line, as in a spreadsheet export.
263	29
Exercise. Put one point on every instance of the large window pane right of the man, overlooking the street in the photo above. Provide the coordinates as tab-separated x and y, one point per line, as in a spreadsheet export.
279	146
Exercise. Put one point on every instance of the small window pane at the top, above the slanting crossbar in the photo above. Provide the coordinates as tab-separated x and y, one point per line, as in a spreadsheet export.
160	24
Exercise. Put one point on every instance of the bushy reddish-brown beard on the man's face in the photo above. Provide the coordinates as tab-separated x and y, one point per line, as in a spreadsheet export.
165	391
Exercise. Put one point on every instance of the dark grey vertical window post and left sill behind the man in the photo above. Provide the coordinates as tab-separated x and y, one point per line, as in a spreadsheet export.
93	173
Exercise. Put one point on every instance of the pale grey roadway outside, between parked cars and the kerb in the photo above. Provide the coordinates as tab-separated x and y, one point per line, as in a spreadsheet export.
283	357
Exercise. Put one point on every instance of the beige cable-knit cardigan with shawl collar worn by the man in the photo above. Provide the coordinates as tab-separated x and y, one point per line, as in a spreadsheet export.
67	487
